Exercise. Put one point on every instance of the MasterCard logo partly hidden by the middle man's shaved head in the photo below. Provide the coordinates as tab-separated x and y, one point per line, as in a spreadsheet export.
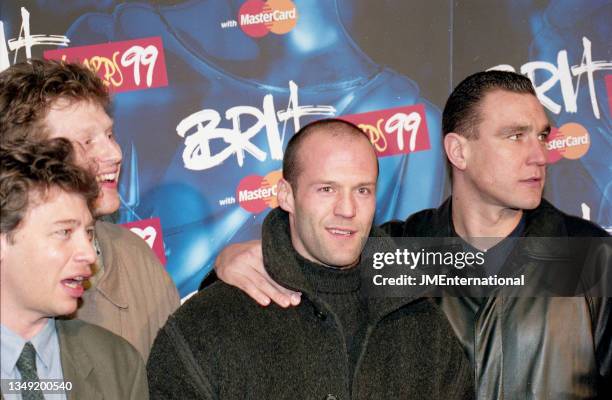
256	193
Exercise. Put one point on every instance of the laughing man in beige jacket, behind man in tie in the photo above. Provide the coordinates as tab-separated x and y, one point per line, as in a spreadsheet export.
131	294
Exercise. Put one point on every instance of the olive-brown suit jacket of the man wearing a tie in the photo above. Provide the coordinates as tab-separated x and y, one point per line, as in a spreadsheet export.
100	364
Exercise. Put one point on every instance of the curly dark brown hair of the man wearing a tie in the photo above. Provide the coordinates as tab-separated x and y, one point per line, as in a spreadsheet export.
28	167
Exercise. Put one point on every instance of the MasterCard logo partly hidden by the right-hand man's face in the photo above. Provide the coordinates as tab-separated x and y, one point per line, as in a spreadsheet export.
570	141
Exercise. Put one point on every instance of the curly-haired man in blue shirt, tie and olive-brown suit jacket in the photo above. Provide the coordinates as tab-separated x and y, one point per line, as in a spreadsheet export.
46	254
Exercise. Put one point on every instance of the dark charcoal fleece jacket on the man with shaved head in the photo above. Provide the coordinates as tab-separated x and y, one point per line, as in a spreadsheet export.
223	345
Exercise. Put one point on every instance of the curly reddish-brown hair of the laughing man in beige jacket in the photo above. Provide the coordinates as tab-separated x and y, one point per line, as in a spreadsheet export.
28	89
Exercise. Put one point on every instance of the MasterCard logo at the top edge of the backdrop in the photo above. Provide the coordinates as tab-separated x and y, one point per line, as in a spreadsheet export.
257	18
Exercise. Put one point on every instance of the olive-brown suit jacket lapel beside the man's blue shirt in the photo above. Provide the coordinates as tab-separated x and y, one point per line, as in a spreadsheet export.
77	367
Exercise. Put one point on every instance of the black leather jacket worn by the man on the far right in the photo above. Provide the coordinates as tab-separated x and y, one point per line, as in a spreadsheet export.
530	347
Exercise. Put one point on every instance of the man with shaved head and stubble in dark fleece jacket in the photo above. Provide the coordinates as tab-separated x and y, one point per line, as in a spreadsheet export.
338	344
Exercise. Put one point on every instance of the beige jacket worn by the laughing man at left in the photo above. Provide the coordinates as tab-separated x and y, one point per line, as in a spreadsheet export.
135	295
